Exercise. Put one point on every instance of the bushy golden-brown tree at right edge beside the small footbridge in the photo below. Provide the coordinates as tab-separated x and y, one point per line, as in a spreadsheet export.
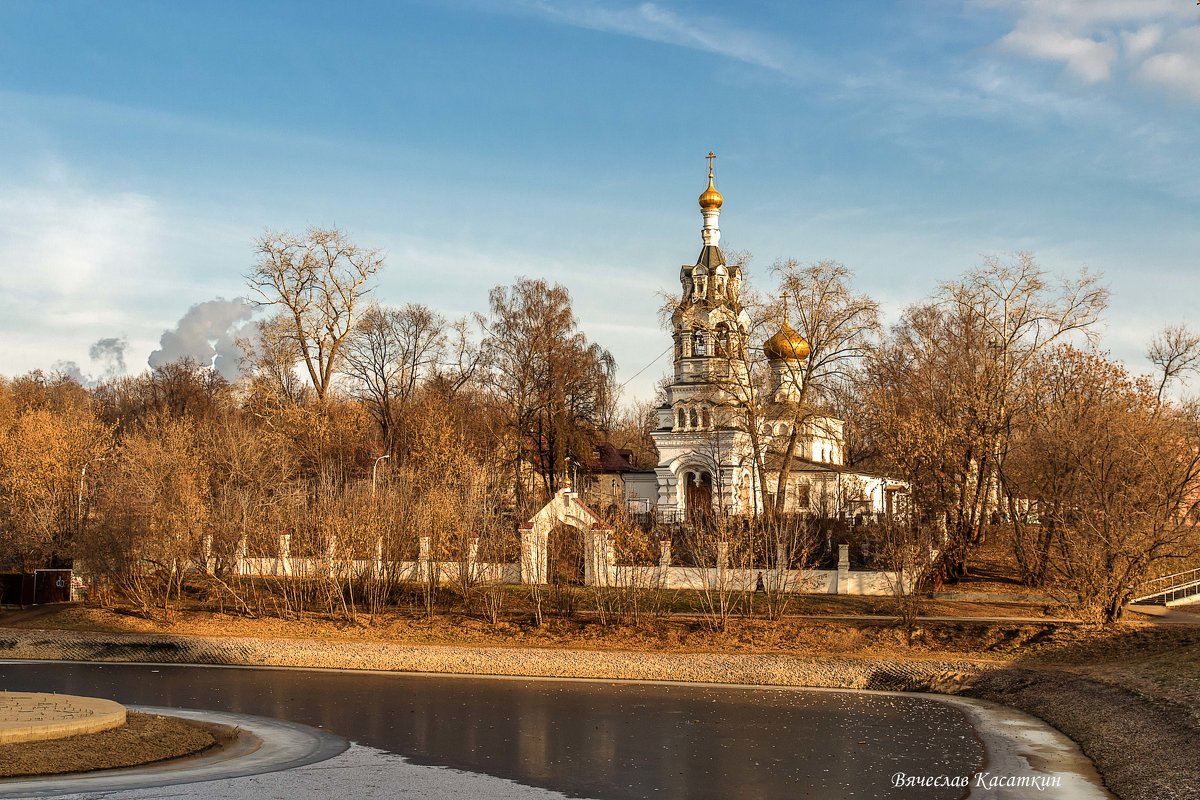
1115	476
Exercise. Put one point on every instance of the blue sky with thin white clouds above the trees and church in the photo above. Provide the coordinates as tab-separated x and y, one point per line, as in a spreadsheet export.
146	146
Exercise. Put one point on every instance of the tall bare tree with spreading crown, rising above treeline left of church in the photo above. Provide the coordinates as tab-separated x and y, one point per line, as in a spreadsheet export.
317	281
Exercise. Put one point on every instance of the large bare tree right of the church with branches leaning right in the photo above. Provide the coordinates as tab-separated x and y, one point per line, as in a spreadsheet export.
945	390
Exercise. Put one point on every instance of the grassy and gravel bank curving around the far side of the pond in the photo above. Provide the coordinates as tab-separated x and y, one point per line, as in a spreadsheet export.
1127	694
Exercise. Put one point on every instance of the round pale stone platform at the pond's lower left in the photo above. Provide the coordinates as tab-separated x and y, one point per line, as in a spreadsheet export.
38	717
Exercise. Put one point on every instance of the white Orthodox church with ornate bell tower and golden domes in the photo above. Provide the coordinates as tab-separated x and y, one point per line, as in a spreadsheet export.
706	454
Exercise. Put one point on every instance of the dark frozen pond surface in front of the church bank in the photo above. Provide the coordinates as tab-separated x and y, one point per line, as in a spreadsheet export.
581	739
